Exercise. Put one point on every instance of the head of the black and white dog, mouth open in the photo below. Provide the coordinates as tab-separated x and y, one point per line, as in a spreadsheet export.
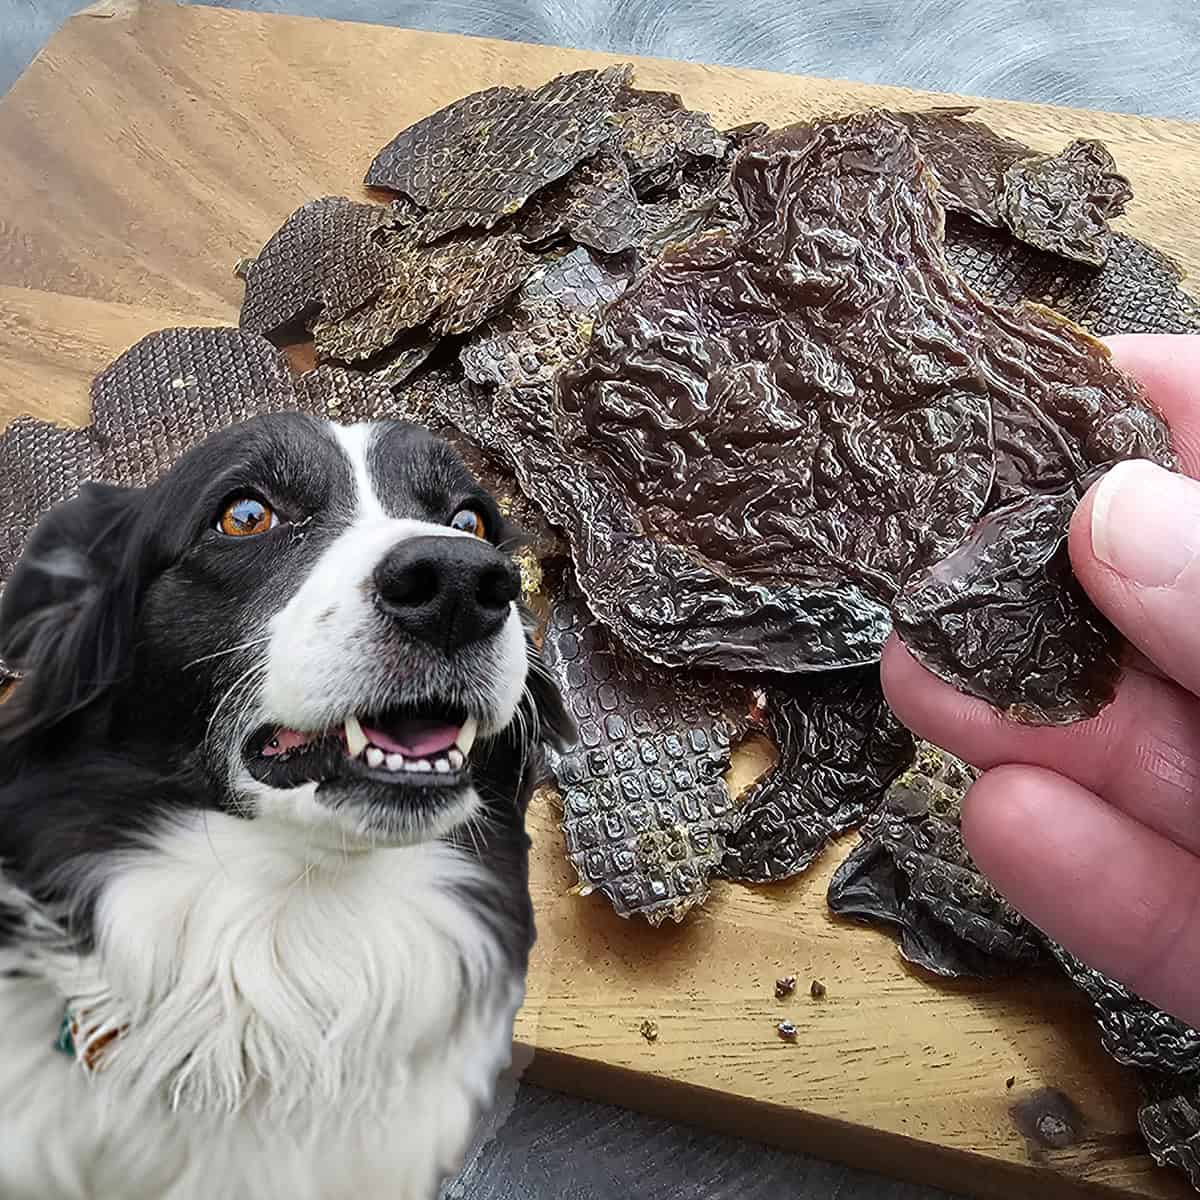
325	621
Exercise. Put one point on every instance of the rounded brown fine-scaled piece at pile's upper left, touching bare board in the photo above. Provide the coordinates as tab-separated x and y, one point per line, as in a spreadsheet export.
326	259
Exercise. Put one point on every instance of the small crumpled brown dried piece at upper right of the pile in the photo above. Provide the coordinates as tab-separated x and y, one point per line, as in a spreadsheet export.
1063	203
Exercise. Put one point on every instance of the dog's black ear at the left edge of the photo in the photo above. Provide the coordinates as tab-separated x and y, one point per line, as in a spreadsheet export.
68	615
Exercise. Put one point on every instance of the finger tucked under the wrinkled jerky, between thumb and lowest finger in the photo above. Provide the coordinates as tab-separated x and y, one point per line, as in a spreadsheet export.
1142	754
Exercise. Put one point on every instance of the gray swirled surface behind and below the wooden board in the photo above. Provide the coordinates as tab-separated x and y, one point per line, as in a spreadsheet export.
1135	57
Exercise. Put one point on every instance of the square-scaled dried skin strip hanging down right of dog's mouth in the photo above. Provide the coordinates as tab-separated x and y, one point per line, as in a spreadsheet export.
646	811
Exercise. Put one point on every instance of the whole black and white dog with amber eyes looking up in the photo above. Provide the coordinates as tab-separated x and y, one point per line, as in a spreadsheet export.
262	824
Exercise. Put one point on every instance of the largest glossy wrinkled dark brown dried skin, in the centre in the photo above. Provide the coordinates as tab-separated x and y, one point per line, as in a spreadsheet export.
719	400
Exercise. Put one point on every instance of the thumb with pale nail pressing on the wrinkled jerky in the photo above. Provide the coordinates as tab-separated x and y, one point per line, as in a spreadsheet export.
1136	548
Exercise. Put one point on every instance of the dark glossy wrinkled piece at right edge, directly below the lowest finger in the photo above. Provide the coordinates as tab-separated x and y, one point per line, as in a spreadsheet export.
1132	1030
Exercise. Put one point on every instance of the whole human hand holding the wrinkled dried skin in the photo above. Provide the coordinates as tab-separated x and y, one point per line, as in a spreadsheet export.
1093	831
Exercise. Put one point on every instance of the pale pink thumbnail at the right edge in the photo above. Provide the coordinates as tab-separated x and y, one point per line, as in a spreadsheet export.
1147	523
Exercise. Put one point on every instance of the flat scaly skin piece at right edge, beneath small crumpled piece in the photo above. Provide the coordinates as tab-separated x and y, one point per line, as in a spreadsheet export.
1137	292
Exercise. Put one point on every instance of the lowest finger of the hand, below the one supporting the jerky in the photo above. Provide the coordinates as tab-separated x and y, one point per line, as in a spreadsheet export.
1111	891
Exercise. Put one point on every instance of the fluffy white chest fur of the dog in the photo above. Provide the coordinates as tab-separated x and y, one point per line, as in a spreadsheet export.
295	1025
